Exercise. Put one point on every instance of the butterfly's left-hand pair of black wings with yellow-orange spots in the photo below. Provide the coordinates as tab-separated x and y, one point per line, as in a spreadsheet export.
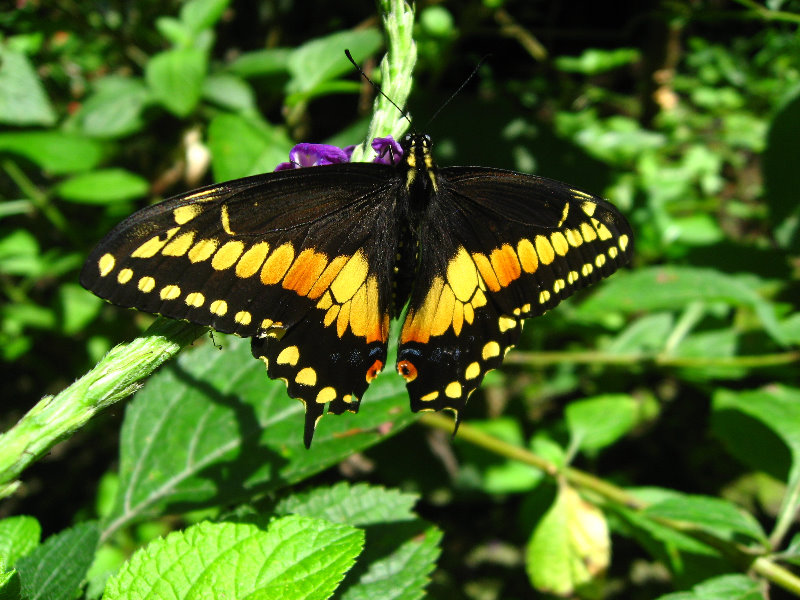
297	260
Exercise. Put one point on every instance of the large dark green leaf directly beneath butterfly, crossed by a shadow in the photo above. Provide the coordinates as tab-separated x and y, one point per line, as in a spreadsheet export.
212	429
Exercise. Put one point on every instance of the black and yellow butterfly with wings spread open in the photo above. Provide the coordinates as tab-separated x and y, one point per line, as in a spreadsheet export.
313	263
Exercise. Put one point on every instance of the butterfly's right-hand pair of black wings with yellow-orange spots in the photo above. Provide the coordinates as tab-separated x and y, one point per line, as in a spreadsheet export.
497	247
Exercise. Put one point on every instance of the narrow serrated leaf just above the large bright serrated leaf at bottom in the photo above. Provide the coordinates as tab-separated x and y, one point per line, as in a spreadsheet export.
356	505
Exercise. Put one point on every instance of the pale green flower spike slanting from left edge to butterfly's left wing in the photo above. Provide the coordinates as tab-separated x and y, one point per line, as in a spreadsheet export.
114	378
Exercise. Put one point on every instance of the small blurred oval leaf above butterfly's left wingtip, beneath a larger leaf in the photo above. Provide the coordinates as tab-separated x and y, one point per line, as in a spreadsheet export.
103	187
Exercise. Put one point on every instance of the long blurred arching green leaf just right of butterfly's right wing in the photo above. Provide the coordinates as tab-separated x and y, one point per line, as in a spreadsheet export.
673	288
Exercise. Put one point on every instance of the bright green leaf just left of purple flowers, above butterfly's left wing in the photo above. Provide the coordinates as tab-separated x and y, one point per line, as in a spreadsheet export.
242	146
